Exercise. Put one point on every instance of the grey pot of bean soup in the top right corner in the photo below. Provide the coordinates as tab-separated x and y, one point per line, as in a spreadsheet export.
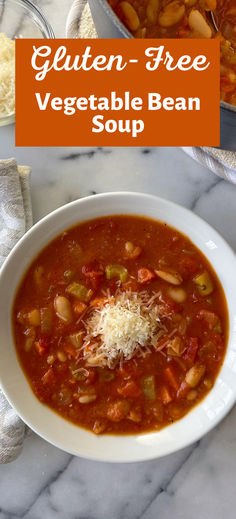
180	19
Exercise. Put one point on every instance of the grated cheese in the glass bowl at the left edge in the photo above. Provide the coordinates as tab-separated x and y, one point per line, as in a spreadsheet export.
7	75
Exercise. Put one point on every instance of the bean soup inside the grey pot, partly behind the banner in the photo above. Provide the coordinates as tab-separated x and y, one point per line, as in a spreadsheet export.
187	19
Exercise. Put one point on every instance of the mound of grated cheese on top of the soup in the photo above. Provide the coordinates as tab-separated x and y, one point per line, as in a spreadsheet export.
122	329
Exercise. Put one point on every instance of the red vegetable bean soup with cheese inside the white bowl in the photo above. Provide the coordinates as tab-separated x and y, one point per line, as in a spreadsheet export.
120	325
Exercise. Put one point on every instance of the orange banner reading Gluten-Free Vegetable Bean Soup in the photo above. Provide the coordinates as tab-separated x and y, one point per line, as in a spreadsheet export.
117	92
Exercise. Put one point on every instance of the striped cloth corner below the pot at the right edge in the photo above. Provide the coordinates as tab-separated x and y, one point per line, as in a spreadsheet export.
221	162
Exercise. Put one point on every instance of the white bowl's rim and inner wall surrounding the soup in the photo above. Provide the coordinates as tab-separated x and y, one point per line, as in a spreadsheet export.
46	422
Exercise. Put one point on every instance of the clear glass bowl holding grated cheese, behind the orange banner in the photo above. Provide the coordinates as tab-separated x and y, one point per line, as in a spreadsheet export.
22	19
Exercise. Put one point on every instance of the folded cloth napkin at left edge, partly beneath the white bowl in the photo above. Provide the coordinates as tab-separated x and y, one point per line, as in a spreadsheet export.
15	220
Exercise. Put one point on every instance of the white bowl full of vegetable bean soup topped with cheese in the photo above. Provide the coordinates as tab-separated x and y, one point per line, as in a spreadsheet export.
117	329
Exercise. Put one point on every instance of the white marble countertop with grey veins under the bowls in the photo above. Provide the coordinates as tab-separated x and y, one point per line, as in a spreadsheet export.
197	482
